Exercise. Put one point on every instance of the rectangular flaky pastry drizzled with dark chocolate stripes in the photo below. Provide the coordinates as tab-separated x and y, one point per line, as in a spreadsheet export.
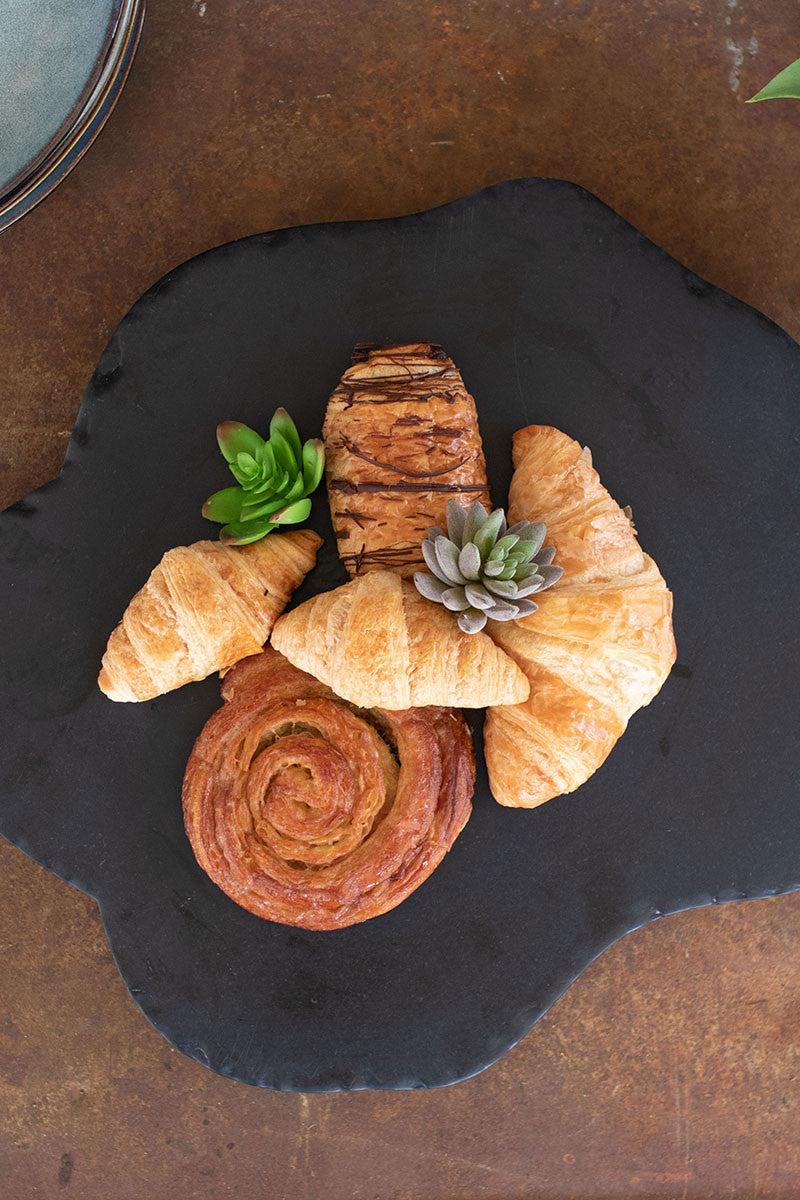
401	439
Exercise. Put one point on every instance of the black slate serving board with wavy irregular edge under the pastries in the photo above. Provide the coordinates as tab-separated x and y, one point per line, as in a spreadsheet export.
557	313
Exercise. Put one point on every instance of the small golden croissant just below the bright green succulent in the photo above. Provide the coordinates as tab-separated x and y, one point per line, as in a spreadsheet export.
204	608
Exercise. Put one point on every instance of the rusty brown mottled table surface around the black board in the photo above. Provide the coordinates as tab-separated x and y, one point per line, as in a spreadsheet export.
671	1067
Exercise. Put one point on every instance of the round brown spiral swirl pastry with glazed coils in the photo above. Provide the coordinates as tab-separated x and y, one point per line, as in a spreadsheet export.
312	813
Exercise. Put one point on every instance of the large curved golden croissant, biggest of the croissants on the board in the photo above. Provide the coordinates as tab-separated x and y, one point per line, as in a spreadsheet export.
599	647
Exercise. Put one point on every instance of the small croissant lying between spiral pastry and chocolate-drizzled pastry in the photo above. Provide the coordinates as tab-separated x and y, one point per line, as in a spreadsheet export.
377	643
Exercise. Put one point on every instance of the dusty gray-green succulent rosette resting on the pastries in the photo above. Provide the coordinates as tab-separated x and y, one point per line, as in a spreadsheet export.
483	569
